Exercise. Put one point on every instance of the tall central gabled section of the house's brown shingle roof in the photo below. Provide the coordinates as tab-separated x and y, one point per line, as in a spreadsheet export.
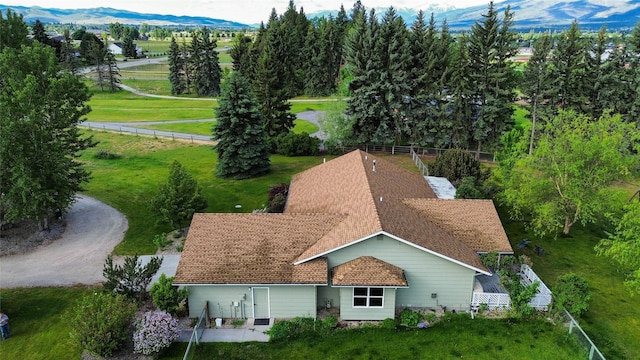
374	203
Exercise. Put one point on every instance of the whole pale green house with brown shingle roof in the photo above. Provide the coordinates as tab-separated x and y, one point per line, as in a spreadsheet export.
358	233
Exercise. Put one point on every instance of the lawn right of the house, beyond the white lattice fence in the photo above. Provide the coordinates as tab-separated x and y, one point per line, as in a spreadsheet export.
613	319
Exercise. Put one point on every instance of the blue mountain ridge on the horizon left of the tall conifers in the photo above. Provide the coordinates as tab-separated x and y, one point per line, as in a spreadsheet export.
99	16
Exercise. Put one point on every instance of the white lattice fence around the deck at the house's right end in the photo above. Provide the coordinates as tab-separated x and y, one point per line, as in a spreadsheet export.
498	300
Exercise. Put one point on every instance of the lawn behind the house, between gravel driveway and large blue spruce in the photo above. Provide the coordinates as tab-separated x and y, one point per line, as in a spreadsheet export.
129	183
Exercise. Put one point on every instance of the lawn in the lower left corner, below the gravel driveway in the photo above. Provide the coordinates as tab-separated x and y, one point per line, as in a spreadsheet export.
38	329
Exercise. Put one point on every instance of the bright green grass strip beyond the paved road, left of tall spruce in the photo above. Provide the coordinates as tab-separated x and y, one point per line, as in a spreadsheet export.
123	106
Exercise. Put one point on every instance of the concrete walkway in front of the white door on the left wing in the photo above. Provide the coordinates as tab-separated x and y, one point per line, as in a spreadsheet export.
249	332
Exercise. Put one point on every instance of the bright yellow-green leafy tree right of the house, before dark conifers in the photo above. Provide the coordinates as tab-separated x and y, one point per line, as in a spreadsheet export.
566	180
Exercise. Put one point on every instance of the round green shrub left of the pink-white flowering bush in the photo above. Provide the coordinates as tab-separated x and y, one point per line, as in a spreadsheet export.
100	322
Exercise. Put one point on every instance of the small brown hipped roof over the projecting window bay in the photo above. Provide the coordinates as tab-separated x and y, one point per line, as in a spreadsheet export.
367	271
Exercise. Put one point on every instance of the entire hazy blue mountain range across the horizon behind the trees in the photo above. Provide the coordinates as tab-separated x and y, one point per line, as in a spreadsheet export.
528	14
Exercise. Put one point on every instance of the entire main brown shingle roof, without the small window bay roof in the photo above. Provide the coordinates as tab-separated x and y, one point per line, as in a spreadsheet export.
330	206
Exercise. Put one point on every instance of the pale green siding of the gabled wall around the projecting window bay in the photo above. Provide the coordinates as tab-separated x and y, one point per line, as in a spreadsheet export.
426	273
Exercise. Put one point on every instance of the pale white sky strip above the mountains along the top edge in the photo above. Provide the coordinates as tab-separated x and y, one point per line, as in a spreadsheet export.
244	11
